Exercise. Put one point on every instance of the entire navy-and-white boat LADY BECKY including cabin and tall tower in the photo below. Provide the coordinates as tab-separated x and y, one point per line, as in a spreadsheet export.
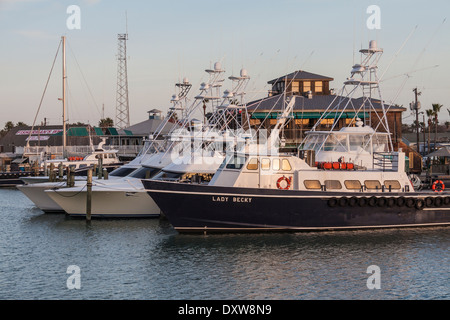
338	180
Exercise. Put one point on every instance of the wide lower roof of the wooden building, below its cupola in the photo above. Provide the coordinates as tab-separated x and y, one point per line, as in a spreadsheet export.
318	103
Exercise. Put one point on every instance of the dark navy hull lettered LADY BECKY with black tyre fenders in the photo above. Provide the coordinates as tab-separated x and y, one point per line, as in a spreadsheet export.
203	208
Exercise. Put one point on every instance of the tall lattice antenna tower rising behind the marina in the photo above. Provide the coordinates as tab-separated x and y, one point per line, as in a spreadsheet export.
122	102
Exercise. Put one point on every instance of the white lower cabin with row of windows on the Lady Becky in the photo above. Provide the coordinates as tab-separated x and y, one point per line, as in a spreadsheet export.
290	172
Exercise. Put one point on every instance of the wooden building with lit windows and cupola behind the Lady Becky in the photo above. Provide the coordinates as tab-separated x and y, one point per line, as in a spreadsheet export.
313	96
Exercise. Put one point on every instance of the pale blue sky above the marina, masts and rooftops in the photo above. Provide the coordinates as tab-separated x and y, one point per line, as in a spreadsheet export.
170	40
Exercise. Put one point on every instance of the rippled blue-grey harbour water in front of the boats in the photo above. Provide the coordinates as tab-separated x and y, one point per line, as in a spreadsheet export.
147	259
